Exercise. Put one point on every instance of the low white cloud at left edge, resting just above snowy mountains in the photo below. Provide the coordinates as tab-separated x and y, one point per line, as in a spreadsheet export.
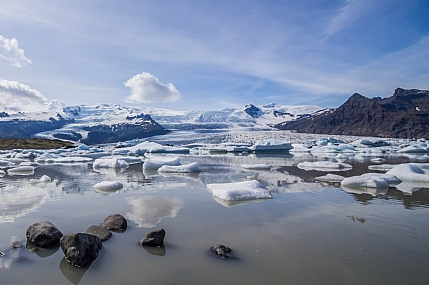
15	94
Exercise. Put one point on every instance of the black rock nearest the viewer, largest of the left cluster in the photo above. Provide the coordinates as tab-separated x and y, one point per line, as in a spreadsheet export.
80	248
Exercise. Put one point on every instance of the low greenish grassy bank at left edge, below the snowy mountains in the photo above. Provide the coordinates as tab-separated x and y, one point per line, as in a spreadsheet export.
32	144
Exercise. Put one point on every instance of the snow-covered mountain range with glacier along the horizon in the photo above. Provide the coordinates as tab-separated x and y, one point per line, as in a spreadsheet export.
107	123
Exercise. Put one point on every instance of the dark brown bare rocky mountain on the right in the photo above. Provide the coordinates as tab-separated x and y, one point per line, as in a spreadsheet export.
403	115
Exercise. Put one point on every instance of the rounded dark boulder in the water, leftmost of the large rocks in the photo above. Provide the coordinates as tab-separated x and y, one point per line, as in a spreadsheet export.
43	234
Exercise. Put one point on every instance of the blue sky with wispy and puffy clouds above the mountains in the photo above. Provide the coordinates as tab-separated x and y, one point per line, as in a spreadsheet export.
207	55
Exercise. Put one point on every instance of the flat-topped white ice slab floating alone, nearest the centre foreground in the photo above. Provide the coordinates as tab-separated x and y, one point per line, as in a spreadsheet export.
246	190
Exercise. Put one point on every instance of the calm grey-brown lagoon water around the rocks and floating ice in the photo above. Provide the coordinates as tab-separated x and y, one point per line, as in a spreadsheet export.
309	232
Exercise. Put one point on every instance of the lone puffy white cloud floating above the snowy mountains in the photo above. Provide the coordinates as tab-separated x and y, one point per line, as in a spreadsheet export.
146	88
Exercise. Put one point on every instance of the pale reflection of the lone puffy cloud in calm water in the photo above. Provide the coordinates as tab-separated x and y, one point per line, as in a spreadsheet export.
147	212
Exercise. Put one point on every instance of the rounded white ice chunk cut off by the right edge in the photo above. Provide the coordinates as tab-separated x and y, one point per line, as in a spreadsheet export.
410	172
